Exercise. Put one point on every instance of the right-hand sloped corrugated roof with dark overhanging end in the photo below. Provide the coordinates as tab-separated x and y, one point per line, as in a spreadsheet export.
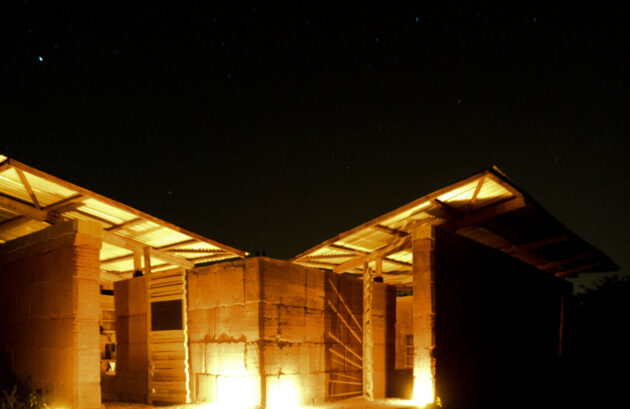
486	207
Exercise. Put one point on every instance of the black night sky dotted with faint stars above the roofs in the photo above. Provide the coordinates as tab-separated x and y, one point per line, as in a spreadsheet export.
275	128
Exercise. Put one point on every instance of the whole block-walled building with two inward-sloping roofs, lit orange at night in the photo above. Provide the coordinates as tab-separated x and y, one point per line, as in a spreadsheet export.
459	293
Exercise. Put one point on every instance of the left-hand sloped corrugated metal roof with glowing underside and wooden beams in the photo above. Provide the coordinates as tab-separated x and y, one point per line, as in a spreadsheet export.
31	200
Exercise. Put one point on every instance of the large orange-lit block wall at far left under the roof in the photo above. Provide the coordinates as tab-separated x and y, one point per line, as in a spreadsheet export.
49	296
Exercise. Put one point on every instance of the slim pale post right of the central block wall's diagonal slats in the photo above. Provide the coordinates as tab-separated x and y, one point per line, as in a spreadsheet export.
368	338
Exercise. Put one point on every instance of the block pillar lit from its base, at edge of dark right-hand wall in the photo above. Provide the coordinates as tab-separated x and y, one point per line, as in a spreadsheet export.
423	247
